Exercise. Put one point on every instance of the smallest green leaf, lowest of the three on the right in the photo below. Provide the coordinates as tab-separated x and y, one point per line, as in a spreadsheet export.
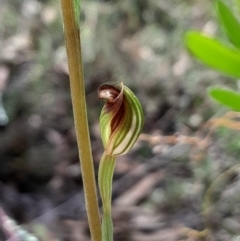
226	97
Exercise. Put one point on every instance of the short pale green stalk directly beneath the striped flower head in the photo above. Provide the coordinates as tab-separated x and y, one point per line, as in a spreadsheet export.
105	176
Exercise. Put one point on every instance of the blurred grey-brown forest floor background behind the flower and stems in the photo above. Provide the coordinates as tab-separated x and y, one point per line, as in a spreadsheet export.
168	187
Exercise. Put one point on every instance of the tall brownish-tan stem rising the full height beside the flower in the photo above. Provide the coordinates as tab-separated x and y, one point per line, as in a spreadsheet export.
73	45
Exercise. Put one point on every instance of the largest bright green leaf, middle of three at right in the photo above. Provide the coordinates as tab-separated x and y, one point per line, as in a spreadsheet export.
213	53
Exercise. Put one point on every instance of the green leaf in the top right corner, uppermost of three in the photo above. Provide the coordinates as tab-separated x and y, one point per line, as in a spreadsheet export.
230	23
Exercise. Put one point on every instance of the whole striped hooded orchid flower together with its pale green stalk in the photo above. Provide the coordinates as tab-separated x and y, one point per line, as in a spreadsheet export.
121	122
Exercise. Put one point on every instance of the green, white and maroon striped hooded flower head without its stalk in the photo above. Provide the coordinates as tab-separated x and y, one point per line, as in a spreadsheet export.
121	119
